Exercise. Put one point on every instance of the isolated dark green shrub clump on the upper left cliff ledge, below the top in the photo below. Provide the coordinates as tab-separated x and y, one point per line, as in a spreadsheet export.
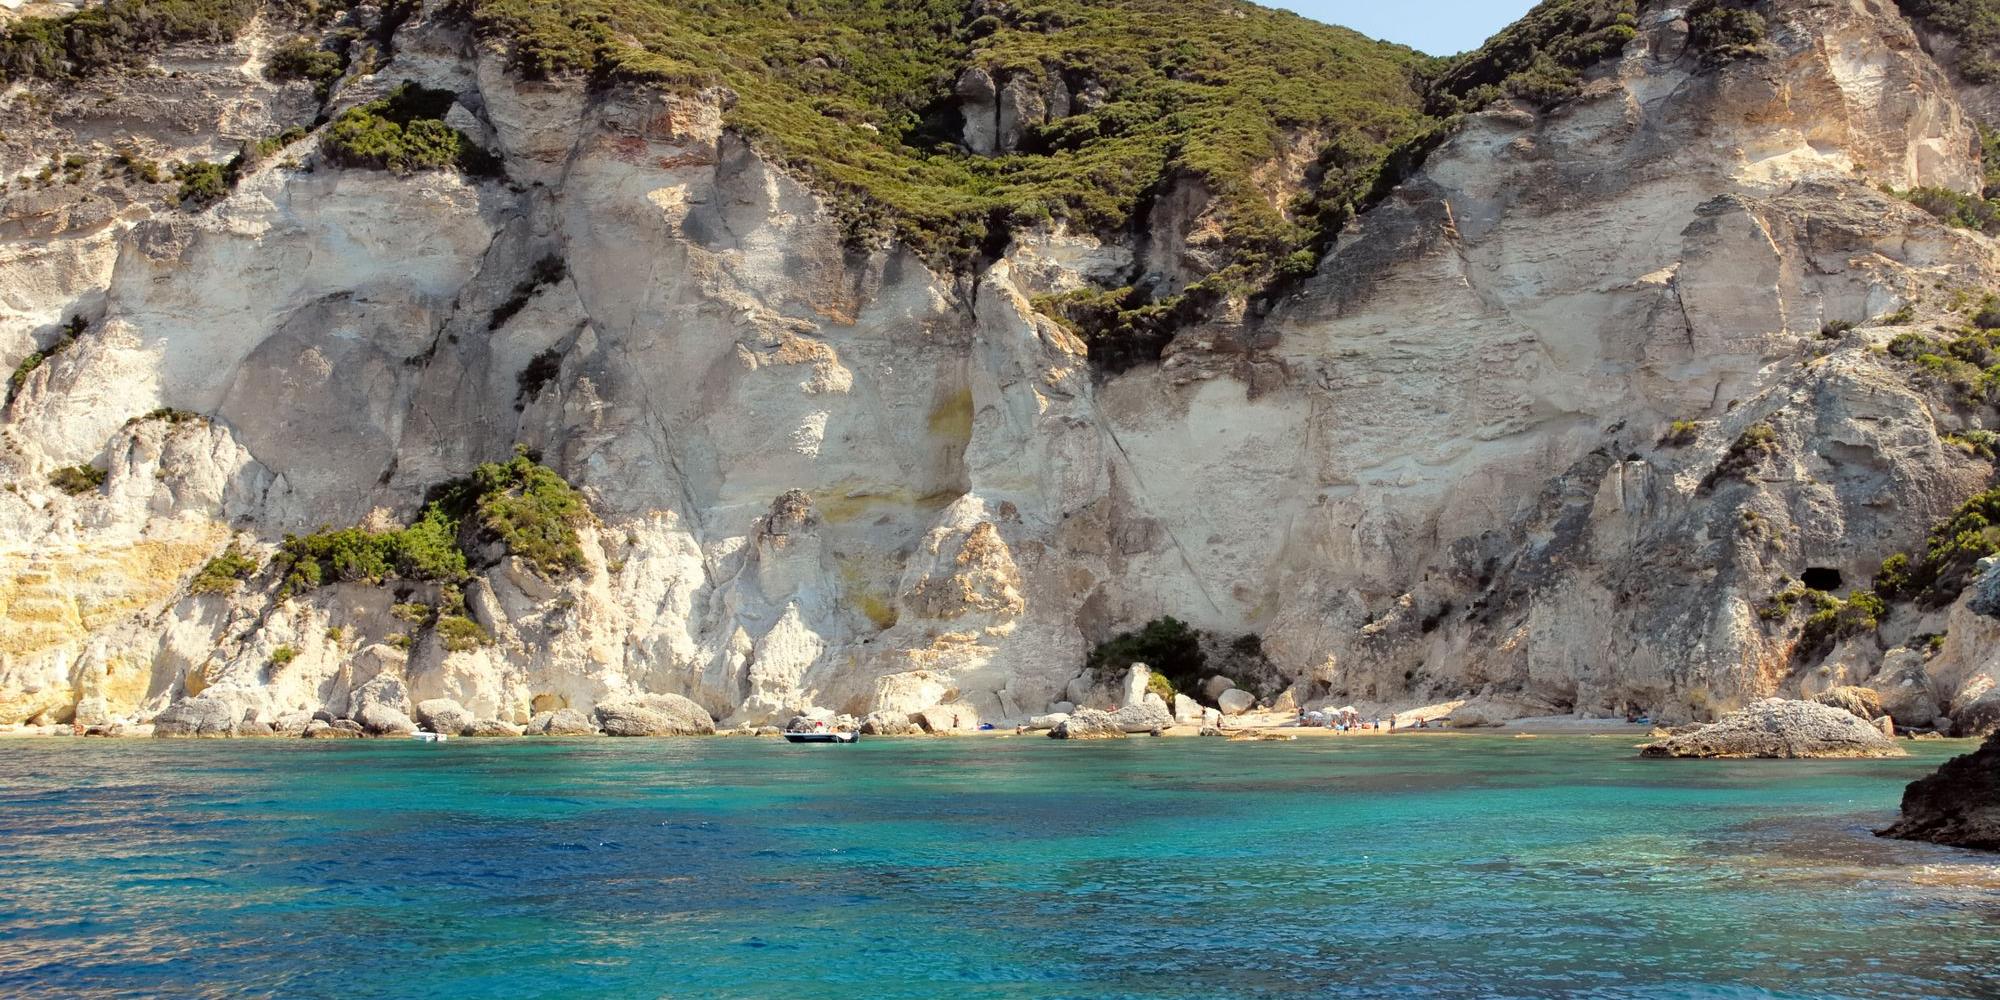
405	133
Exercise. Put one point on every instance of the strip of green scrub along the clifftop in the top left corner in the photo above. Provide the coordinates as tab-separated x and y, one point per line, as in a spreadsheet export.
113	35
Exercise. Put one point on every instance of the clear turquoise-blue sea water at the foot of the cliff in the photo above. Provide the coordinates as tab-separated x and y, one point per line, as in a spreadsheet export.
973	869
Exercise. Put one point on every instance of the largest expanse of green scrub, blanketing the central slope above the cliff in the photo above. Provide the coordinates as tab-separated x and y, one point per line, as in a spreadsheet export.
1199	91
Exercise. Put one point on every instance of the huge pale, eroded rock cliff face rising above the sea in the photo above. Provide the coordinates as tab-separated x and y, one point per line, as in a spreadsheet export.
835	479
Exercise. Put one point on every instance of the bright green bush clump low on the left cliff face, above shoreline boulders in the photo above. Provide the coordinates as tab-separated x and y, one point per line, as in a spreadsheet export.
523	505
